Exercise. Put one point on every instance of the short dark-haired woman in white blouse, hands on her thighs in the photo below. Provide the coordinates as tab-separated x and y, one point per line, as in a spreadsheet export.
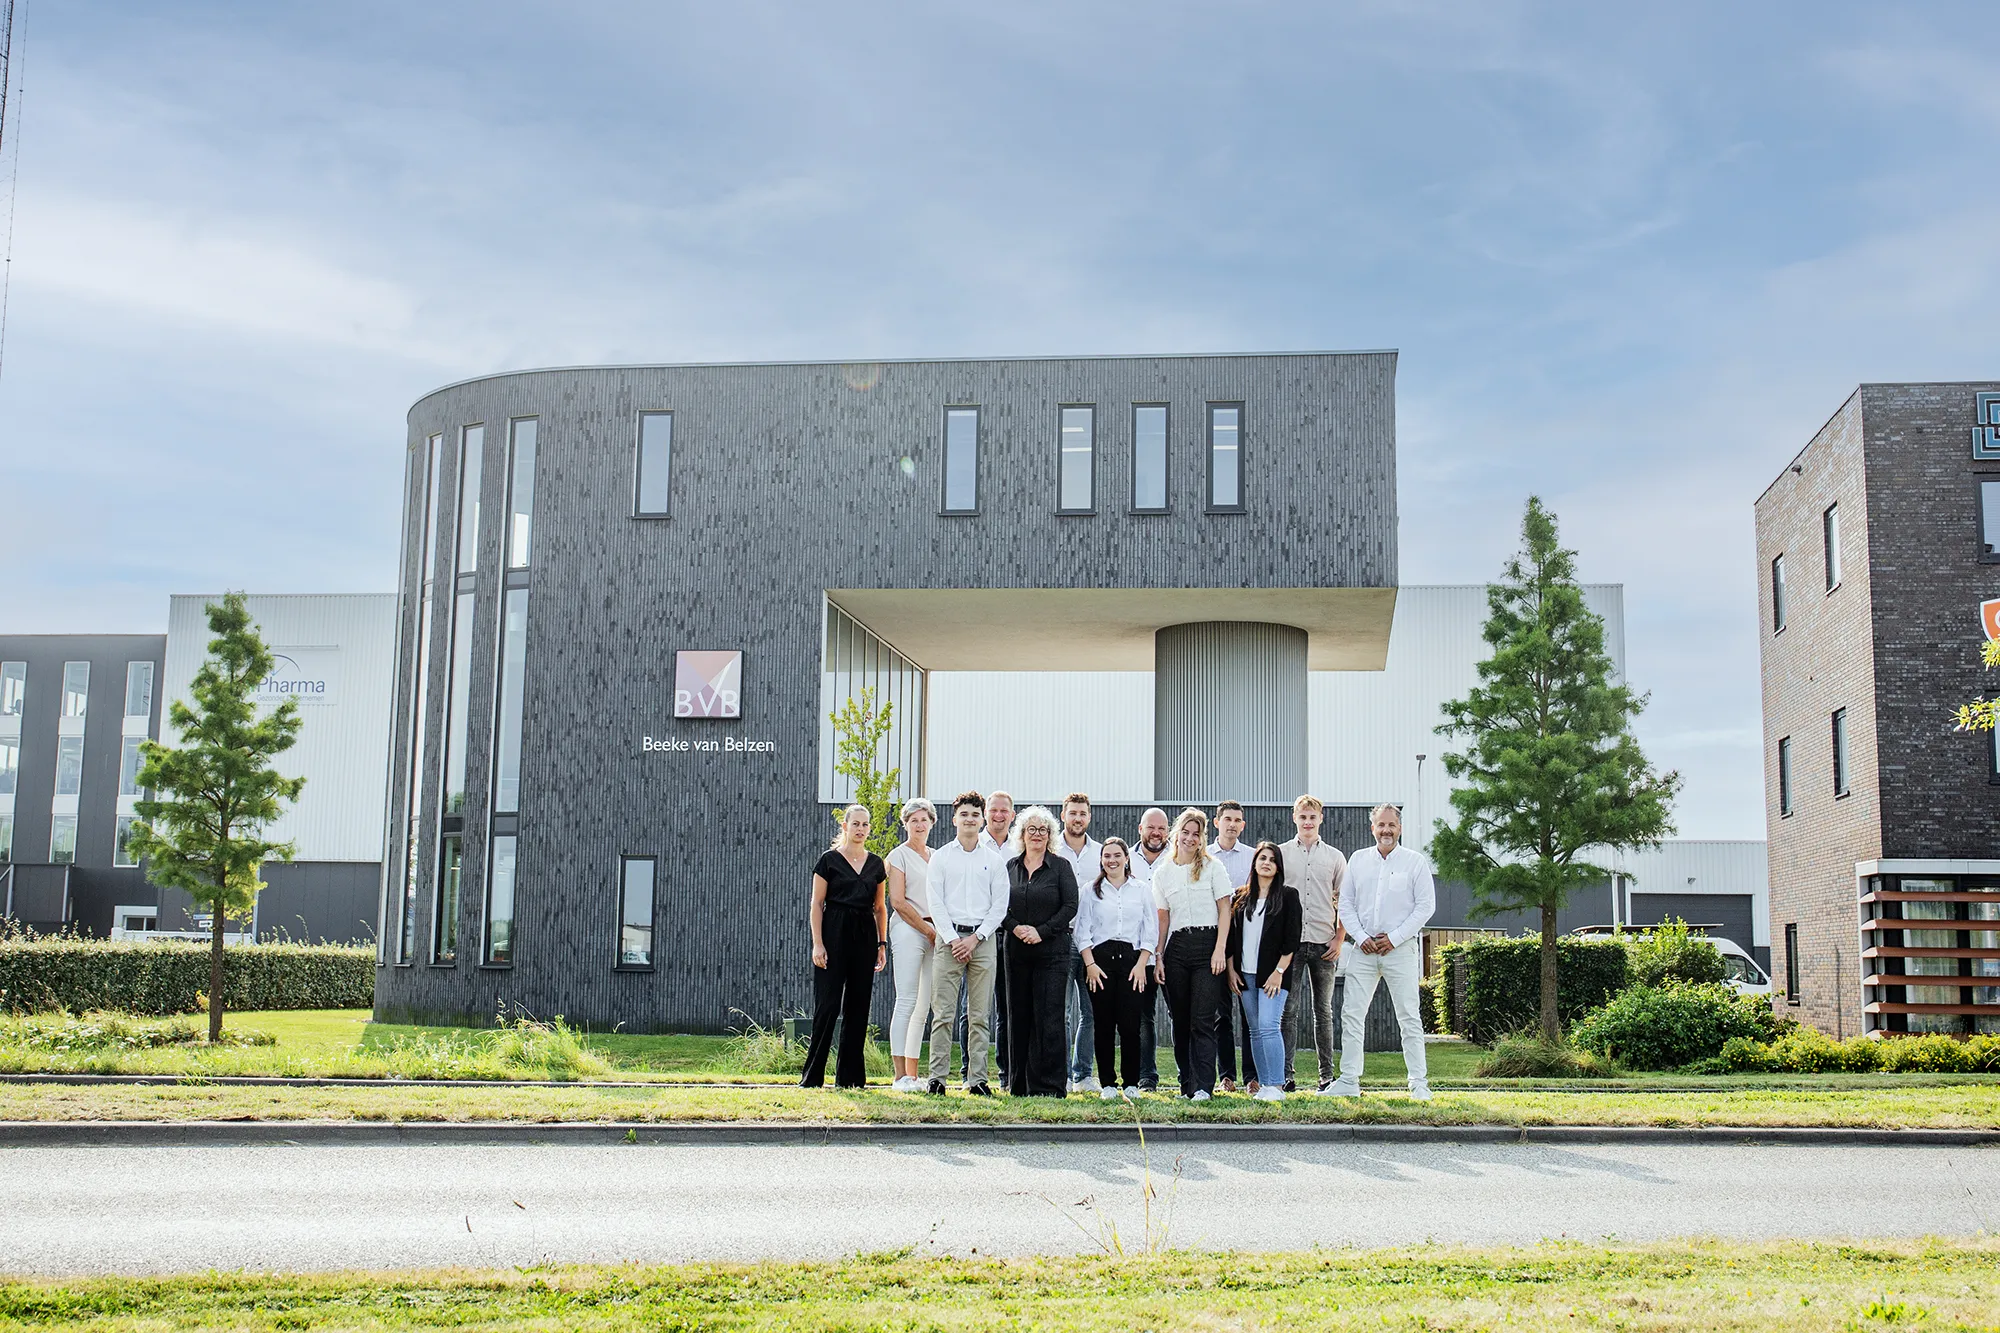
1117	934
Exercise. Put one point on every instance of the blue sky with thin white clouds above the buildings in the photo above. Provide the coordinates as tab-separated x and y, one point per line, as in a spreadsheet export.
1631	257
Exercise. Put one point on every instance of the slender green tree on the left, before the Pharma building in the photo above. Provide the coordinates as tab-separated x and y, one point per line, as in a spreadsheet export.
201	830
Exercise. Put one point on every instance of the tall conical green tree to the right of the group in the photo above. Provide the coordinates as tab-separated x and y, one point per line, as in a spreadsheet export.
1551	772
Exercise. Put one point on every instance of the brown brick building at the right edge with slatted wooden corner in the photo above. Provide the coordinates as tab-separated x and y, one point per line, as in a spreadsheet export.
1877	547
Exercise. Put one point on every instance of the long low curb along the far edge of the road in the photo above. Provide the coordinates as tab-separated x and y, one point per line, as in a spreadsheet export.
513	1134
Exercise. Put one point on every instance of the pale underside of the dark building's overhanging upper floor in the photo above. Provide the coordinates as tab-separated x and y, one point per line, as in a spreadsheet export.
1109	629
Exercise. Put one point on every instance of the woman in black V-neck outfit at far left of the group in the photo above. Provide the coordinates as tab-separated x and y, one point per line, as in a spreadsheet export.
849	948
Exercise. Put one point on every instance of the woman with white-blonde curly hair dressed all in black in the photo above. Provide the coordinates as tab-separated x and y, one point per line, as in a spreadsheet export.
1041	910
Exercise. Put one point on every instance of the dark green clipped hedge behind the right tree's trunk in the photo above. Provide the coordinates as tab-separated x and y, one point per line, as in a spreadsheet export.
1491	988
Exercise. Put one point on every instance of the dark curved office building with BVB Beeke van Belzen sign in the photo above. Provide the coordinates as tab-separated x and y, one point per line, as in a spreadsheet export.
633	595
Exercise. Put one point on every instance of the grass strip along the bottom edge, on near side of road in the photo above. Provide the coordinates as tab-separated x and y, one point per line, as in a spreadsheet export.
1777	1288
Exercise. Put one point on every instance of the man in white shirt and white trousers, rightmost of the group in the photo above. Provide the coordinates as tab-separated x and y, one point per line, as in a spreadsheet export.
1385	904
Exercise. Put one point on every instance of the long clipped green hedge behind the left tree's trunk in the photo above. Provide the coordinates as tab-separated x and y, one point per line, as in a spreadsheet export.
165	978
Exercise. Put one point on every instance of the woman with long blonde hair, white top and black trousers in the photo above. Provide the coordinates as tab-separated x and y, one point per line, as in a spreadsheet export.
1193	896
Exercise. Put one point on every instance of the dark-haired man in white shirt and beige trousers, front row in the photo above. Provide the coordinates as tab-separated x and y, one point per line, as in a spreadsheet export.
969	898
